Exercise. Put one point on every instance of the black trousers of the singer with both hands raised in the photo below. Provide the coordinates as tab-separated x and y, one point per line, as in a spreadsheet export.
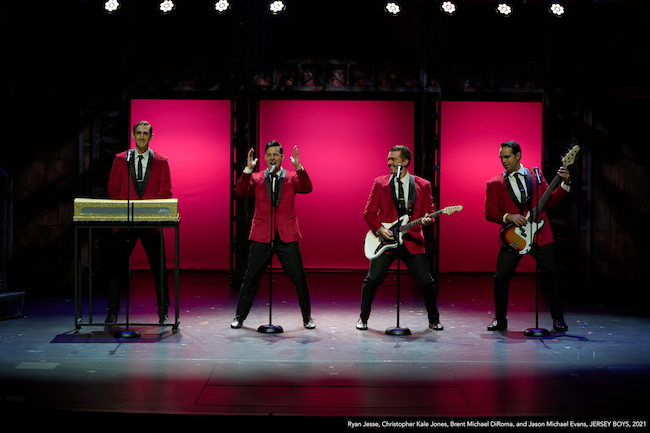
259	257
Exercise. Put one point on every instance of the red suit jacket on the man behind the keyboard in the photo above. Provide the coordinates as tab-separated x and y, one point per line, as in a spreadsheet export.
158	179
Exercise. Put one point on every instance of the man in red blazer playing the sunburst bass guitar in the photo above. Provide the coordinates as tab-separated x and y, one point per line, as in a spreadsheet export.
510	195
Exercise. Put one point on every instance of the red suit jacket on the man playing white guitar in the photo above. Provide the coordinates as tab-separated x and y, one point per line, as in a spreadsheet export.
380	208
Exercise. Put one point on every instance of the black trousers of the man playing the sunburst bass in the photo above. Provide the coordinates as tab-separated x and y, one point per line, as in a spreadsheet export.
507	262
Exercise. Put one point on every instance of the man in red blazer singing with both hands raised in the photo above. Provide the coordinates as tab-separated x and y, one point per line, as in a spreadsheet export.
274	190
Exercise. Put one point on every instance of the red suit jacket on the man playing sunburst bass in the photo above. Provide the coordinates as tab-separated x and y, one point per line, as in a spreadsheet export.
498	203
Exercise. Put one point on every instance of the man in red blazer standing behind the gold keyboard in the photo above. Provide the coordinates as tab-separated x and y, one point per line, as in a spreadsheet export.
149	179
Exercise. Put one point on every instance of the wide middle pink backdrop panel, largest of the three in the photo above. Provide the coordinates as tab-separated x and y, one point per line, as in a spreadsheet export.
343	146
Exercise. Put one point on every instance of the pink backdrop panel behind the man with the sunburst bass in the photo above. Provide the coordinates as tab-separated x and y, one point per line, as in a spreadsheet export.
471	133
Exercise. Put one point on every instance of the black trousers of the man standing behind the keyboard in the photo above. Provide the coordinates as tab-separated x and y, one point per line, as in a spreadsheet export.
150	239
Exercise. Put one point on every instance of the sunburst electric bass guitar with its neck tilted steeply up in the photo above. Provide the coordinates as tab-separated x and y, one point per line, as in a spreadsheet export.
521	238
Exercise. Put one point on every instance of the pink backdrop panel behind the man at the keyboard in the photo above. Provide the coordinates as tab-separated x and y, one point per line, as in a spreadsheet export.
195	136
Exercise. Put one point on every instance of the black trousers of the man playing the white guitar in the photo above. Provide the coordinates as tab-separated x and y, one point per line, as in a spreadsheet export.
418	266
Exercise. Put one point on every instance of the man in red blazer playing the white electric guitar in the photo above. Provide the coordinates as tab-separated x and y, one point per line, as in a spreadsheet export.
385	205
